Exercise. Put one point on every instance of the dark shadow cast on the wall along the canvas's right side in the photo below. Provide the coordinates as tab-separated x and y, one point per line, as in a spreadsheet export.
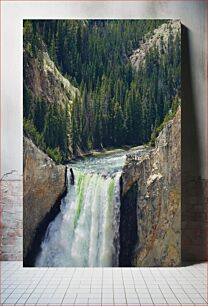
194	226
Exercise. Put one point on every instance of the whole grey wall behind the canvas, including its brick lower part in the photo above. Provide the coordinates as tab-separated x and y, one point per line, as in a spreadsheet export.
194	117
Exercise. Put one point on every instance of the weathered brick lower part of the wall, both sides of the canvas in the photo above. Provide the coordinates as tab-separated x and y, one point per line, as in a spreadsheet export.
194	228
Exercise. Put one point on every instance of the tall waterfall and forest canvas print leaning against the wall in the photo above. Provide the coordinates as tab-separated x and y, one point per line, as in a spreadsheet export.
102	151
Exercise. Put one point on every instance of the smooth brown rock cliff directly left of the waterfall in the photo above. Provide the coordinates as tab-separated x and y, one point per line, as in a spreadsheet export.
44	185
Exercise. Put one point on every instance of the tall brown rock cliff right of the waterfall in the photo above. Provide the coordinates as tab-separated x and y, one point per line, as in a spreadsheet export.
158	204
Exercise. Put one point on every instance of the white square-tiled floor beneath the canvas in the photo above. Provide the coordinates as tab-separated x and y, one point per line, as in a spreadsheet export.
97	286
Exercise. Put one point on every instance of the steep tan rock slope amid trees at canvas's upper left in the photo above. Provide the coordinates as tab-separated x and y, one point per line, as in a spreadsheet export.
44	79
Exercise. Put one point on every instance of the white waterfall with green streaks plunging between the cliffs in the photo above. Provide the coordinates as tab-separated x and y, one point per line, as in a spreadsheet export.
86	231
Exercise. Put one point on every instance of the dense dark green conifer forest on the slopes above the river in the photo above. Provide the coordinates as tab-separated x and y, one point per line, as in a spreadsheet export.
116	104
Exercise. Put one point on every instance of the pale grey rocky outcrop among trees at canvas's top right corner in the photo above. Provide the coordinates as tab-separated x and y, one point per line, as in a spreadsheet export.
158	39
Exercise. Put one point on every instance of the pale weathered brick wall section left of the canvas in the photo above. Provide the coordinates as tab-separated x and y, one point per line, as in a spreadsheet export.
11	222
